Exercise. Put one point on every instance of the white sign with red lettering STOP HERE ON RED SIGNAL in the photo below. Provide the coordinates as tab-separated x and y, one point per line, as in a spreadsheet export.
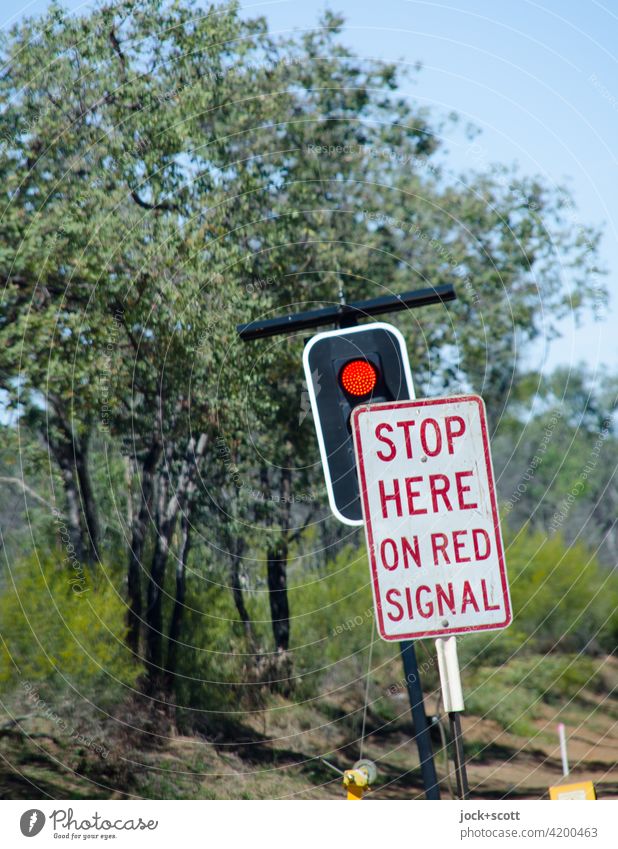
431	517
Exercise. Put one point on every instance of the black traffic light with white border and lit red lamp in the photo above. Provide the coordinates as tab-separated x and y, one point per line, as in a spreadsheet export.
345	368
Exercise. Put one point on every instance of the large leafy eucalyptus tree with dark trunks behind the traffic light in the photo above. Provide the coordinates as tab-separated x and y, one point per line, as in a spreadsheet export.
168	172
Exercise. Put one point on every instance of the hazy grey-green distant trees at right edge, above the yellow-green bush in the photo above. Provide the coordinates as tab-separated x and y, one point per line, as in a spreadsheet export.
557	467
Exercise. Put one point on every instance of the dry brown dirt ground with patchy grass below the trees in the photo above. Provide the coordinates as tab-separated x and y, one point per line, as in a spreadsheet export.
276	754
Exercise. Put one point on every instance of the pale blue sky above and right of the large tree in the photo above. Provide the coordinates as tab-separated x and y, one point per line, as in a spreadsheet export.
539	79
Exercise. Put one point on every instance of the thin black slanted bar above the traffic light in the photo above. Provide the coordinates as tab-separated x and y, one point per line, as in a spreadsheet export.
344	314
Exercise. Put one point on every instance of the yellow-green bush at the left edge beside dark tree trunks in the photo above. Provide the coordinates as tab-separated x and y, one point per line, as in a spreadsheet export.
62	629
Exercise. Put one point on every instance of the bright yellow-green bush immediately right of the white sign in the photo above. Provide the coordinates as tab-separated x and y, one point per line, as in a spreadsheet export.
563	602
